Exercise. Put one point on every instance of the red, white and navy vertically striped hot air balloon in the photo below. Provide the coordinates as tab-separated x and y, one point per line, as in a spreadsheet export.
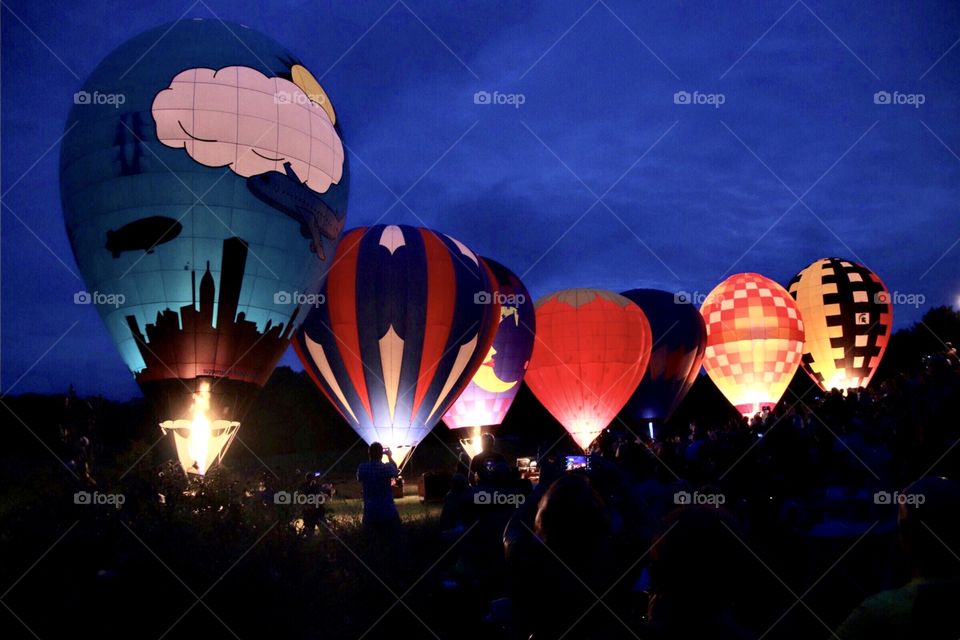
409	316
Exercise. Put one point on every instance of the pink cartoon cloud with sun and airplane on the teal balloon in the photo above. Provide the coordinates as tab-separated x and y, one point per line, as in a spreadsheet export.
277	134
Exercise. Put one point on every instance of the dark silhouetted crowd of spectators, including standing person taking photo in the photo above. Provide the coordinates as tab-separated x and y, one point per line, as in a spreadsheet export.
844	494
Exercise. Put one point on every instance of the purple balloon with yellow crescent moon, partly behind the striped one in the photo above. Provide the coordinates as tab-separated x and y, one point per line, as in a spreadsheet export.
489	395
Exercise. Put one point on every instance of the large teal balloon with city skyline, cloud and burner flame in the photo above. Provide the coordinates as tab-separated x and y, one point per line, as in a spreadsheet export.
204	188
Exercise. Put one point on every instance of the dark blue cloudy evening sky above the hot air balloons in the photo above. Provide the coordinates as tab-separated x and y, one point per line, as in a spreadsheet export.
798	163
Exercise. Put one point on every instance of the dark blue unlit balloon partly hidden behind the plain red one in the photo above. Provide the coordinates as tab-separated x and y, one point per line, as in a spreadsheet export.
679	344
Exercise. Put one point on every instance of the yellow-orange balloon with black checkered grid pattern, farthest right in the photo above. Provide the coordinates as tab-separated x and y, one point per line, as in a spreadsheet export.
848	318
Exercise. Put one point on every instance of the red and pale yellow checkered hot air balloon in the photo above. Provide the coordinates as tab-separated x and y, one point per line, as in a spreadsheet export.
754	340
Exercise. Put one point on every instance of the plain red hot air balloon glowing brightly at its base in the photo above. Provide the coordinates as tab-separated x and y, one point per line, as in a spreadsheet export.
589	355
